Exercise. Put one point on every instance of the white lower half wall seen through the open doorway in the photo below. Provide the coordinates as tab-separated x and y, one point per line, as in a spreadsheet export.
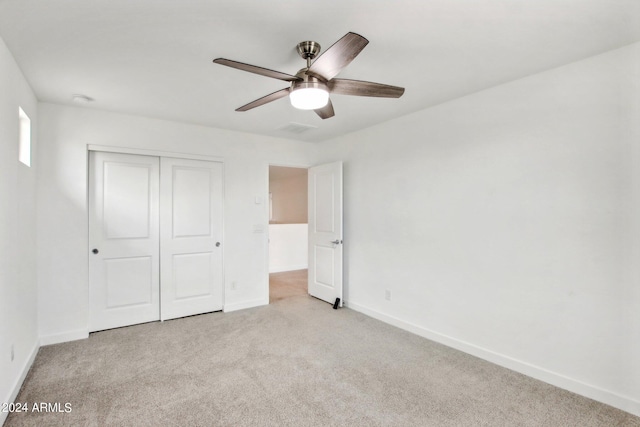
288	247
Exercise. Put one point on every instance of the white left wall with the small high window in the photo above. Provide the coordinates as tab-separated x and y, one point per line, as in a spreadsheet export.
18	316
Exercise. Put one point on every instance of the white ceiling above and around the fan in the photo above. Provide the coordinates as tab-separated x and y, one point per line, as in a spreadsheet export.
154	57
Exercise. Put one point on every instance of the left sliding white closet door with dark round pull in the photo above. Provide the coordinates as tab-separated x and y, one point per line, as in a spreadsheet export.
123	240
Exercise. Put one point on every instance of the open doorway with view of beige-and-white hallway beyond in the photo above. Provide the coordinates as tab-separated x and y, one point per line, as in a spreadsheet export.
288	232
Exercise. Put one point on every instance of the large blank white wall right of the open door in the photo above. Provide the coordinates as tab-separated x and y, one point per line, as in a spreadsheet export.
506	223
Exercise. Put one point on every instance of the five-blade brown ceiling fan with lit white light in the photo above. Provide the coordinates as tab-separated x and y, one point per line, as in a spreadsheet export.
310	87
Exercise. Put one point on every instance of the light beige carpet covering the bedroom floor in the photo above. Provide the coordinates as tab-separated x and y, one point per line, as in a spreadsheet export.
296	362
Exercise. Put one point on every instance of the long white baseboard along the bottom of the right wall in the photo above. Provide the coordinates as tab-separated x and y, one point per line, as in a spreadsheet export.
608	397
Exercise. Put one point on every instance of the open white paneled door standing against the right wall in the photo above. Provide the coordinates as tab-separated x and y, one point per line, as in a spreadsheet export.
325	232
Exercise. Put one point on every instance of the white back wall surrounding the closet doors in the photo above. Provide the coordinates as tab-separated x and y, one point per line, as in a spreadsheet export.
65	133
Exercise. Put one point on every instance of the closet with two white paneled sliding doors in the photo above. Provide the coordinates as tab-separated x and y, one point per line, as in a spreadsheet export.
155	238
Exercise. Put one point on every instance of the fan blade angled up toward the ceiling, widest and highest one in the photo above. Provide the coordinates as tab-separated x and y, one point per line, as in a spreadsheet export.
338	56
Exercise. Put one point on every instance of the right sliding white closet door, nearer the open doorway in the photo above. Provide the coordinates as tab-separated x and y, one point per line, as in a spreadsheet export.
191	237
